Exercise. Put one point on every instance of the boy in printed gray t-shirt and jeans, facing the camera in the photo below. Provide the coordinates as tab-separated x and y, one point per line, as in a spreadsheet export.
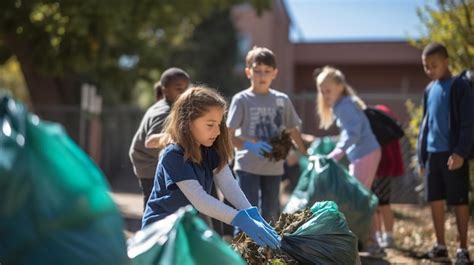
260	113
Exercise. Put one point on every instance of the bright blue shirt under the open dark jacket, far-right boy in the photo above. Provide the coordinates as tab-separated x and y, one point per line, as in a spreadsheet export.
438	118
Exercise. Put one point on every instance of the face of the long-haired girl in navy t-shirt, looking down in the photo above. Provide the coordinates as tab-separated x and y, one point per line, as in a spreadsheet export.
206	128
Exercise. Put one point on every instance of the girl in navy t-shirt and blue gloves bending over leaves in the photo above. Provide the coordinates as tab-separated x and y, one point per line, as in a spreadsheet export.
196	152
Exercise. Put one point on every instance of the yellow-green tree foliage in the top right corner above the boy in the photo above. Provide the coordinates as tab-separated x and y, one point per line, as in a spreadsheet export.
451	22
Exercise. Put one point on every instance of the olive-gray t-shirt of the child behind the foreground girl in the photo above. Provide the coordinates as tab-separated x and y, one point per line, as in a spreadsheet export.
144	160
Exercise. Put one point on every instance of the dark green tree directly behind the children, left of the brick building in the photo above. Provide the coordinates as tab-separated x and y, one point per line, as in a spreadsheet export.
212	54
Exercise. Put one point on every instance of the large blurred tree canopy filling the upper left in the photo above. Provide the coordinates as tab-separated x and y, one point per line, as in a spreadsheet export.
112	44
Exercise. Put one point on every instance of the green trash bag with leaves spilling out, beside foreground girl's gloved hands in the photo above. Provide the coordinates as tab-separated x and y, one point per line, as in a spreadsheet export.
323	239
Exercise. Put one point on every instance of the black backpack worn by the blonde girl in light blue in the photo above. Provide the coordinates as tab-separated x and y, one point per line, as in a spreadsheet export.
384	127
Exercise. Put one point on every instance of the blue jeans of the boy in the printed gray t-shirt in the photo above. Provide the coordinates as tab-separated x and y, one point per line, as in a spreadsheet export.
262	192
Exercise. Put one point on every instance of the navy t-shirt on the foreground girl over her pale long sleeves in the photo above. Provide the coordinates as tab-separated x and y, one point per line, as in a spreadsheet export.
166	197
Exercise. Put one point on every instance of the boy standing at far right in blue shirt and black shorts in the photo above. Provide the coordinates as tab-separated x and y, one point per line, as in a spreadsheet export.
445	144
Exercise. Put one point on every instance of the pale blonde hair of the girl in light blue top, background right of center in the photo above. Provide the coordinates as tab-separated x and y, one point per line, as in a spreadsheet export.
325	112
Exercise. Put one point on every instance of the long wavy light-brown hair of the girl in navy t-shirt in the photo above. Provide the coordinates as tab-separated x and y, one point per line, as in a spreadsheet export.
191	105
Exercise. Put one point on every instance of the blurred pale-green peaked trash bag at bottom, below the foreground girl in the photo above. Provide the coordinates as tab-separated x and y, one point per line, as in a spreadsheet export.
180	238
